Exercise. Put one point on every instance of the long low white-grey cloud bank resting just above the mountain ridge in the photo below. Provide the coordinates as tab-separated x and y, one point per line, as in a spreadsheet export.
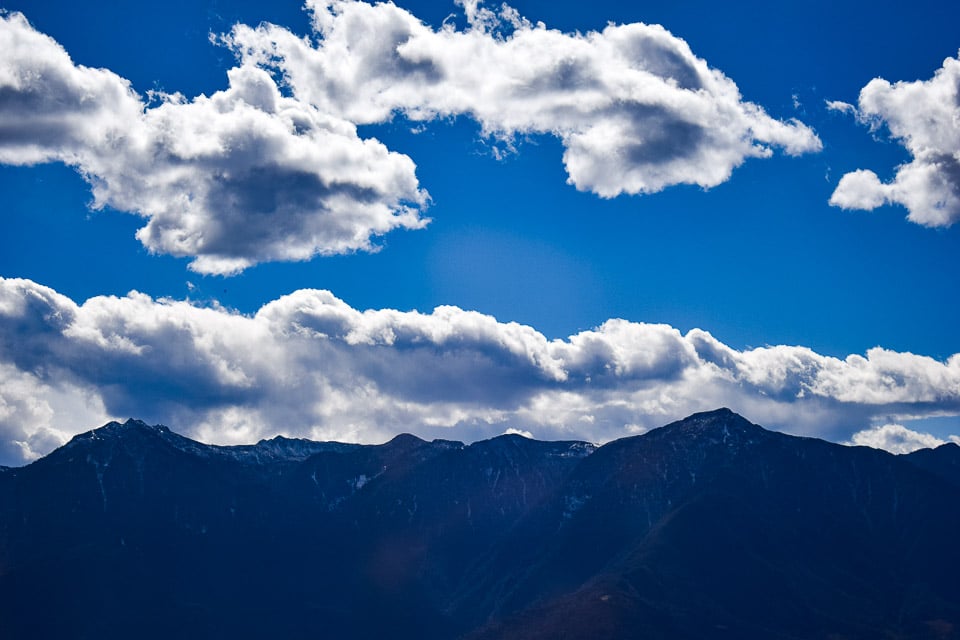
309	365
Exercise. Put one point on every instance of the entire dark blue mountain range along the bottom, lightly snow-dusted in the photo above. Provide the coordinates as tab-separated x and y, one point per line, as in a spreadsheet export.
711	527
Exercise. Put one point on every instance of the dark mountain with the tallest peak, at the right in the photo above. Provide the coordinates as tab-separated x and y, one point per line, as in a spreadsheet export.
713	527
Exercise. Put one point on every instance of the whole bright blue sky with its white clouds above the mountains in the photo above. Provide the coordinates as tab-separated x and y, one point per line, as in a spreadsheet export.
791	285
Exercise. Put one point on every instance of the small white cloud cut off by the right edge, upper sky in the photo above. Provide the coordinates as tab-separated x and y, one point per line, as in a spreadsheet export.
924	116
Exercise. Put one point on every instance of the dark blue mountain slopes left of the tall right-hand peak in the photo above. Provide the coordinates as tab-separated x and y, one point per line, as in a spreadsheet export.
131	522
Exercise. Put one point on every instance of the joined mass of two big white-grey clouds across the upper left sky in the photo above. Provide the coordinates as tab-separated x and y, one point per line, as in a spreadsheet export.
272	168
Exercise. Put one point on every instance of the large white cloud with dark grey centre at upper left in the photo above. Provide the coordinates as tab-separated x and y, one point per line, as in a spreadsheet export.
243	176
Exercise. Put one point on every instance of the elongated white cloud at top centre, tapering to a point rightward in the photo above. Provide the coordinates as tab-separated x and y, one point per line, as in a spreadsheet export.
635	109
